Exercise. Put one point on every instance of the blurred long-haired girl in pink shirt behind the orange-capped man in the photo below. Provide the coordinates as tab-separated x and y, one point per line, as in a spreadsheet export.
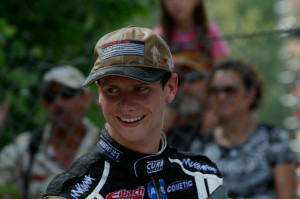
186	29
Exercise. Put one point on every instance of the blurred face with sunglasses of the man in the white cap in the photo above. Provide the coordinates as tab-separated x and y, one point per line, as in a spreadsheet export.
63	105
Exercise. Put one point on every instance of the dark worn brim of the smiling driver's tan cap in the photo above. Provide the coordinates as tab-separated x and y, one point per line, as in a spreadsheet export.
144	74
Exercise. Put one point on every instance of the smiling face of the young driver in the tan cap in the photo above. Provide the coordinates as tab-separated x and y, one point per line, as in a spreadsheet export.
134	109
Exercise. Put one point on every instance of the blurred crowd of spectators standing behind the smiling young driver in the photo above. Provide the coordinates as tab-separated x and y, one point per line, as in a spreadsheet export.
212	114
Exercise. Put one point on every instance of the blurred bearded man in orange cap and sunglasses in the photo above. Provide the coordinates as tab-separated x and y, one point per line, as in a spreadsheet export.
187	119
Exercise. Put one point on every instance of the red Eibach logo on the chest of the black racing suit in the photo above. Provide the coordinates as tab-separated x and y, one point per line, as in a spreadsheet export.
127	194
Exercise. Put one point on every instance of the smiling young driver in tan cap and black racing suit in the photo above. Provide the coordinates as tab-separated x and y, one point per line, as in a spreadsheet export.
133	70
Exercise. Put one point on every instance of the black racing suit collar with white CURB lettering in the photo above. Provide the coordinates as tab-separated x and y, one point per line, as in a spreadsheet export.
141	164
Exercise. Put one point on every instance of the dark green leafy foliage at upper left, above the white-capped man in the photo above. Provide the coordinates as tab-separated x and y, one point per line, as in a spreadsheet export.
37	35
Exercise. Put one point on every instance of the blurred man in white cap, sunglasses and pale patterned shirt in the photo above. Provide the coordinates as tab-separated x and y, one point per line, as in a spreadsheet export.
34	158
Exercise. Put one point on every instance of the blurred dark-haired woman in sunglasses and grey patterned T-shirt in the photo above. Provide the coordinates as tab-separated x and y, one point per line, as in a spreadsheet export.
254	157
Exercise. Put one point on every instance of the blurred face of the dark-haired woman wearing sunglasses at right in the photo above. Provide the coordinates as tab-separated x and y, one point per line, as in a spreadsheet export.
229	96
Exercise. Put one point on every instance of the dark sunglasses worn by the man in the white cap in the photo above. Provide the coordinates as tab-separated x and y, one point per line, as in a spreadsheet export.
65	92
